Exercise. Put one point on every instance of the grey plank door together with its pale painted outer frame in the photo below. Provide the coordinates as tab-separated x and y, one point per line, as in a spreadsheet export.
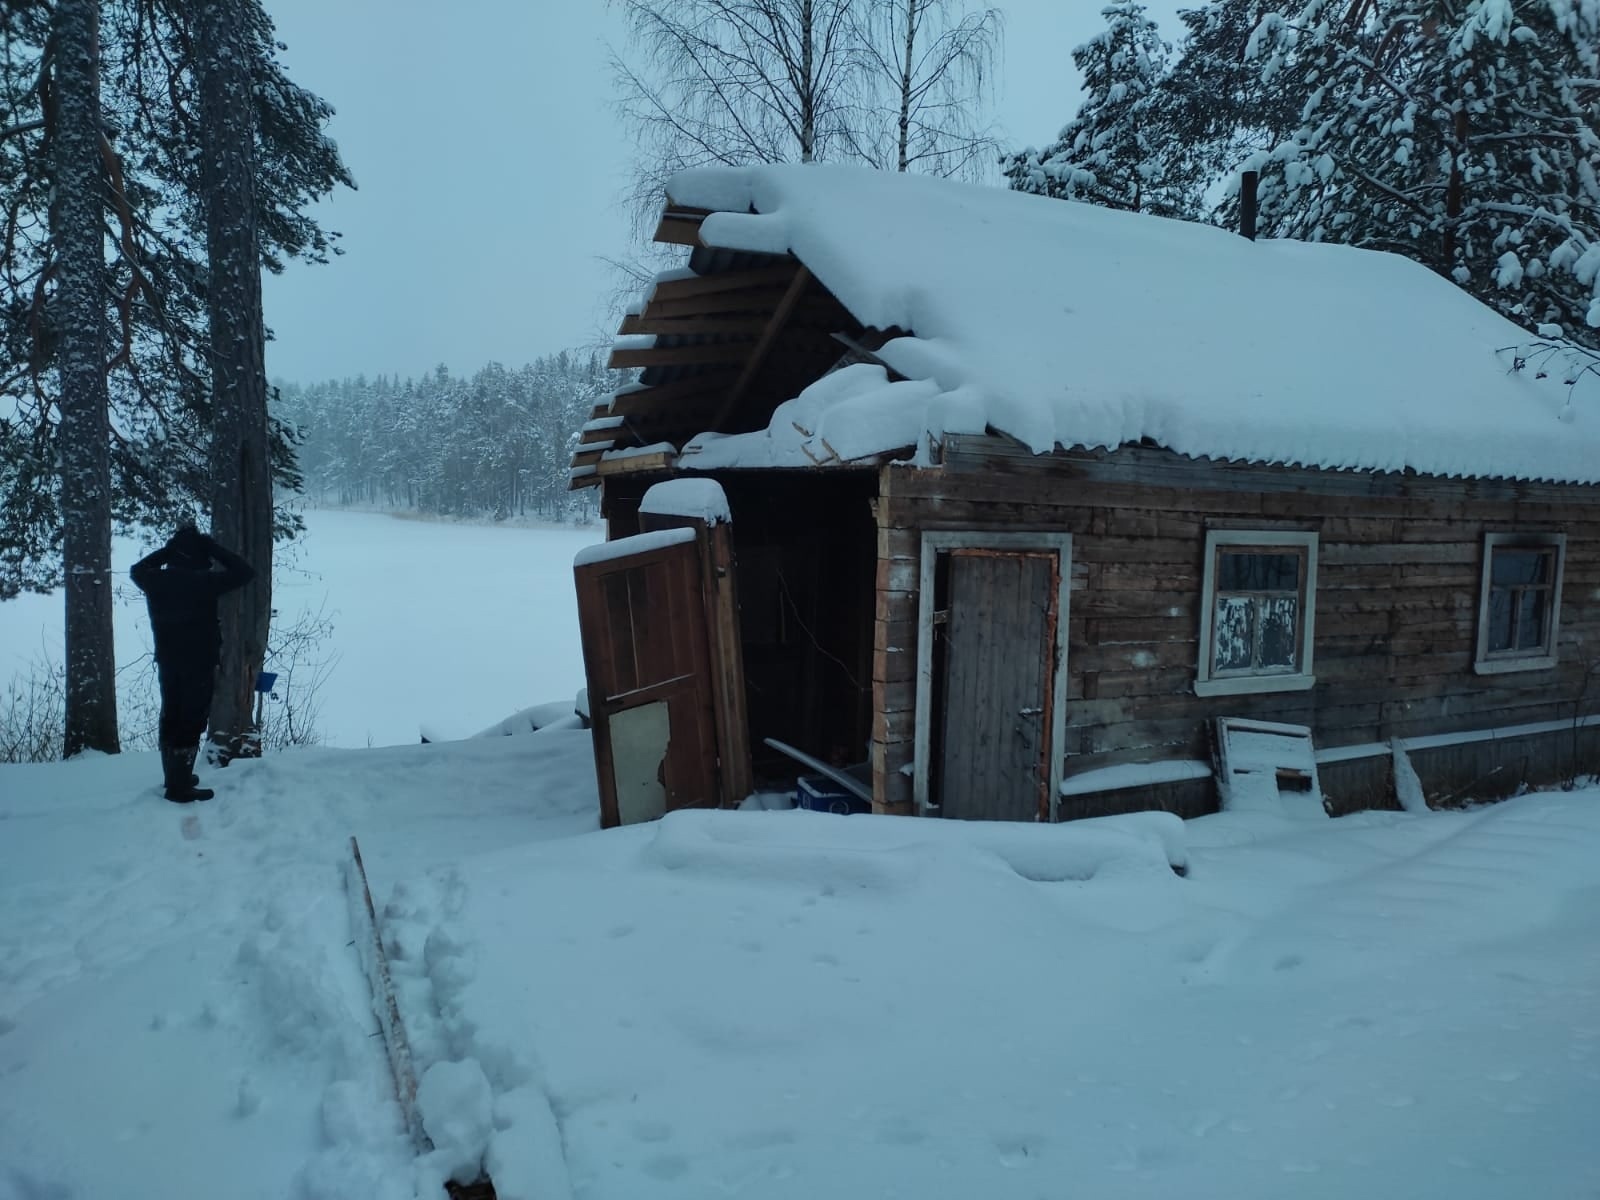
991	689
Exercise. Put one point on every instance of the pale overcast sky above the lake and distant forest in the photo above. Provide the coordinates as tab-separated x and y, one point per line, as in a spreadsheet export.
490	164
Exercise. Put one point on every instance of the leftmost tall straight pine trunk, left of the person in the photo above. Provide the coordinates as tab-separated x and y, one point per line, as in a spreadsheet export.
86	430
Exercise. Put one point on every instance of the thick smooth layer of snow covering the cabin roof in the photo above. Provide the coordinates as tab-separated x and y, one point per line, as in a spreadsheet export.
1065	324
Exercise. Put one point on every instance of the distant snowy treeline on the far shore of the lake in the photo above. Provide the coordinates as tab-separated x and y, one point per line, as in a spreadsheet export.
495	446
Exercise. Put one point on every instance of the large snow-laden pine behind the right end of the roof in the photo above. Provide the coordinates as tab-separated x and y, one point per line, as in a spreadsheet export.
1462	135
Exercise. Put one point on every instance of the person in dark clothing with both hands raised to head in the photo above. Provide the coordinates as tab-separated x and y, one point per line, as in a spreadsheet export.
182	588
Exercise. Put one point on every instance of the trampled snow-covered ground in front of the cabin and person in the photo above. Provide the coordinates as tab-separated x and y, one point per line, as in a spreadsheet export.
782	1004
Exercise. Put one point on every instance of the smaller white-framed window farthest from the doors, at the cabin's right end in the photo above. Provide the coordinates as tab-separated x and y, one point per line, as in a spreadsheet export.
1519	601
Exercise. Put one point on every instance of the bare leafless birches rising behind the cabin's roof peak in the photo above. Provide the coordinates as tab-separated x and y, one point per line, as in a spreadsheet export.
894	84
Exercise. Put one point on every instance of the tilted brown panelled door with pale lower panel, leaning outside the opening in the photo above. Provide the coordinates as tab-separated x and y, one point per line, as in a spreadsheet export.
642	620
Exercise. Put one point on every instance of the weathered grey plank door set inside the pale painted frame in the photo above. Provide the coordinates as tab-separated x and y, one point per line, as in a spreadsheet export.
999	665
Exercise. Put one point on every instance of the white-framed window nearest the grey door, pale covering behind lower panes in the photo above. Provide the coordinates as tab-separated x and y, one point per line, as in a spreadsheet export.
1258	607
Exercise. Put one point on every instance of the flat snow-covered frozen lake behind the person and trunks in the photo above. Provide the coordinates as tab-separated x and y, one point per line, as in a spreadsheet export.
436	625
